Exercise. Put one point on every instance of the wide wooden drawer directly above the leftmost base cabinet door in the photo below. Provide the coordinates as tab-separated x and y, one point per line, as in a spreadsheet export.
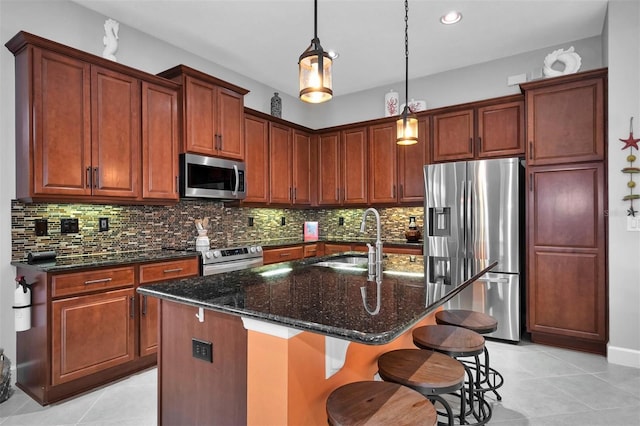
89	281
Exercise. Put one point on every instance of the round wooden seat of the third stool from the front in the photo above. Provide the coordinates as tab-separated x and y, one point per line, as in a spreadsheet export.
449	339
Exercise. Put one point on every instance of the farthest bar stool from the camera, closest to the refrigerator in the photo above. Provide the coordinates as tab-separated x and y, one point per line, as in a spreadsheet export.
483	324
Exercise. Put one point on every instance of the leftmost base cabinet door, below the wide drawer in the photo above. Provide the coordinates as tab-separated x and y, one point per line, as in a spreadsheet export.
91	333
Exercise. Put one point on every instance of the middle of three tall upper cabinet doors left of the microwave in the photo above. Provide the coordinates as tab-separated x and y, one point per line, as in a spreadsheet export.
115	118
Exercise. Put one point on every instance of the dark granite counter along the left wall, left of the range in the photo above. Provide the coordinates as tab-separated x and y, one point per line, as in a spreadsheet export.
69	263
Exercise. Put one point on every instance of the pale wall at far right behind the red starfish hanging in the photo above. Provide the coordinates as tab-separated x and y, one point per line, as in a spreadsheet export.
623	57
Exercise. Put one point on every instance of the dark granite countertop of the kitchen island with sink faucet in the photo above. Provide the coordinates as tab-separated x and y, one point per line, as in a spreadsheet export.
321	299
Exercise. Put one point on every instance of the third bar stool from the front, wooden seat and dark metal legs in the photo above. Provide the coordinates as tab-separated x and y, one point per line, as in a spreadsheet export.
459	343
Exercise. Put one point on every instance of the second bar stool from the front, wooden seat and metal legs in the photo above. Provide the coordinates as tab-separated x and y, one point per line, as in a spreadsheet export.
430	373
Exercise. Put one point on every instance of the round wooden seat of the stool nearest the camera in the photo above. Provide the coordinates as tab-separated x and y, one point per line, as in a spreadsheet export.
379	403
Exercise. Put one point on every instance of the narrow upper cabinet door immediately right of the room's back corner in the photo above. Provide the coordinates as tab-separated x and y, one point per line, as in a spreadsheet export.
329	169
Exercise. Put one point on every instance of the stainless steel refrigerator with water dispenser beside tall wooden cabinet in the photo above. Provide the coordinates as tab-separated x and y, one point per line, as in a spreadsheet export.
473	216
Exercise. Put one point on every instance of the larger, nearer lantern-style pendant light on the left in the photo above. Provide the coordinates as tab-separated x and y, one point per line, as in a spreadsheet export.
315	68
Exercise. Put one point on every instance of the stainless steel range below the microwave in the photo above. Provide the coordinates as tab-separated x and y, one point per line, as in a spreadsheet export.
217	261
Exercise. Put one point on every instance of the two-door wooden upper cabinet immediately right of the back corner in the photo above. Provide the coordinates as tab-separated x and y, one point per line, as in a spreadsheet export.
342	167
